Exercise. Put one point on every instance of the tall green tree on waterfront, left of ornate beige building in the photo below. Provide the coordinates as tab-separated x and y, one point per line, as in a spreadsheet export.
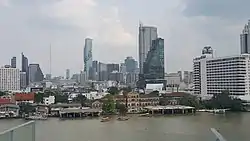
108	105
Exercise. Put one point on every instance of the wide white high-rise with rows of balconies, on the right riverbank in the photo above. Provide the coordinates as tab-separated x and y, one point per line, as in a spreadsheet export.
214	75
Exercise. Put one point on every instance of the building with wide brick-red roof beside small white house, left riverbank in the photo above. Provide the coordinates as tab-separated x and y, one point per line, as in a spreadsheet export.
24	98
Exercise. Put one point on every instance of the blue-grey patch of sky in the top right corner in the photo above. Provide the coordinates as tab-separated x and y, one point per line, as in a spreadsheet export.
226	9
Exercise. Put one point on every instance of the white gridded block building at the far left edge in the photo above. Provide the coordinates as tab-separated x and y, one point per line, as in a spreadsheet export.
9	79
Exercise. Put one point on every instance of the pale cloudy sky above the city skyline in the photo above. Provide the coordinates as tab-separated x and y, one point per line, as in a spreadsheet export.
30	26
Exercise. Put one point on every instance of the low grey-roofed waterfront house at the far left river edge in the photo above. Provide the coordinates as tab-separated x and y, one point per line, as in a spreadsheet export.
9	111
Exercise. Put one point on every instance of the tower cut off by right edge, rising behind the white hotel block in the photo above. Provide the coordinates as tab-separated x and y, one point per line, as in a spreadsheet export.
245	39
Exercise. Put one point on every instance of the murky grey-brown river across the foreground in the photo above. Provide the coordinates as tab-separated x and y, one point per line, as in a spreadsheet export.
233	126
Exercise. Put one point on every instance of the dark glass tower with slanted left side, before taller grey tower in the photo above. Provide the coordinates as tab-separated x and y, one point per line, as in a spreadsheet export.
154	65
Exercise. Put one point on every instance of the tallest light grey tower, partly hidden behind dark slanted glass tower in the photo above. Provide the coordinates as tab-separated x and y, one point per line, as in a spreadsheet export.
146	35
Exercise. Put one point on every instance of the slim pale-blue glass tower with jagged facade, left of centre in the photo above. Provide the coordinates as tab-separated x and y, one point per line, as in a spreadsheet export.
87	57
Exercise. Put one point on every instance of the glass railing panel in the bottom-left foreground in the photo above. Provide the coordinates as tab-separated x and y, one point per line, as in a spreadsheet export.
23	132
